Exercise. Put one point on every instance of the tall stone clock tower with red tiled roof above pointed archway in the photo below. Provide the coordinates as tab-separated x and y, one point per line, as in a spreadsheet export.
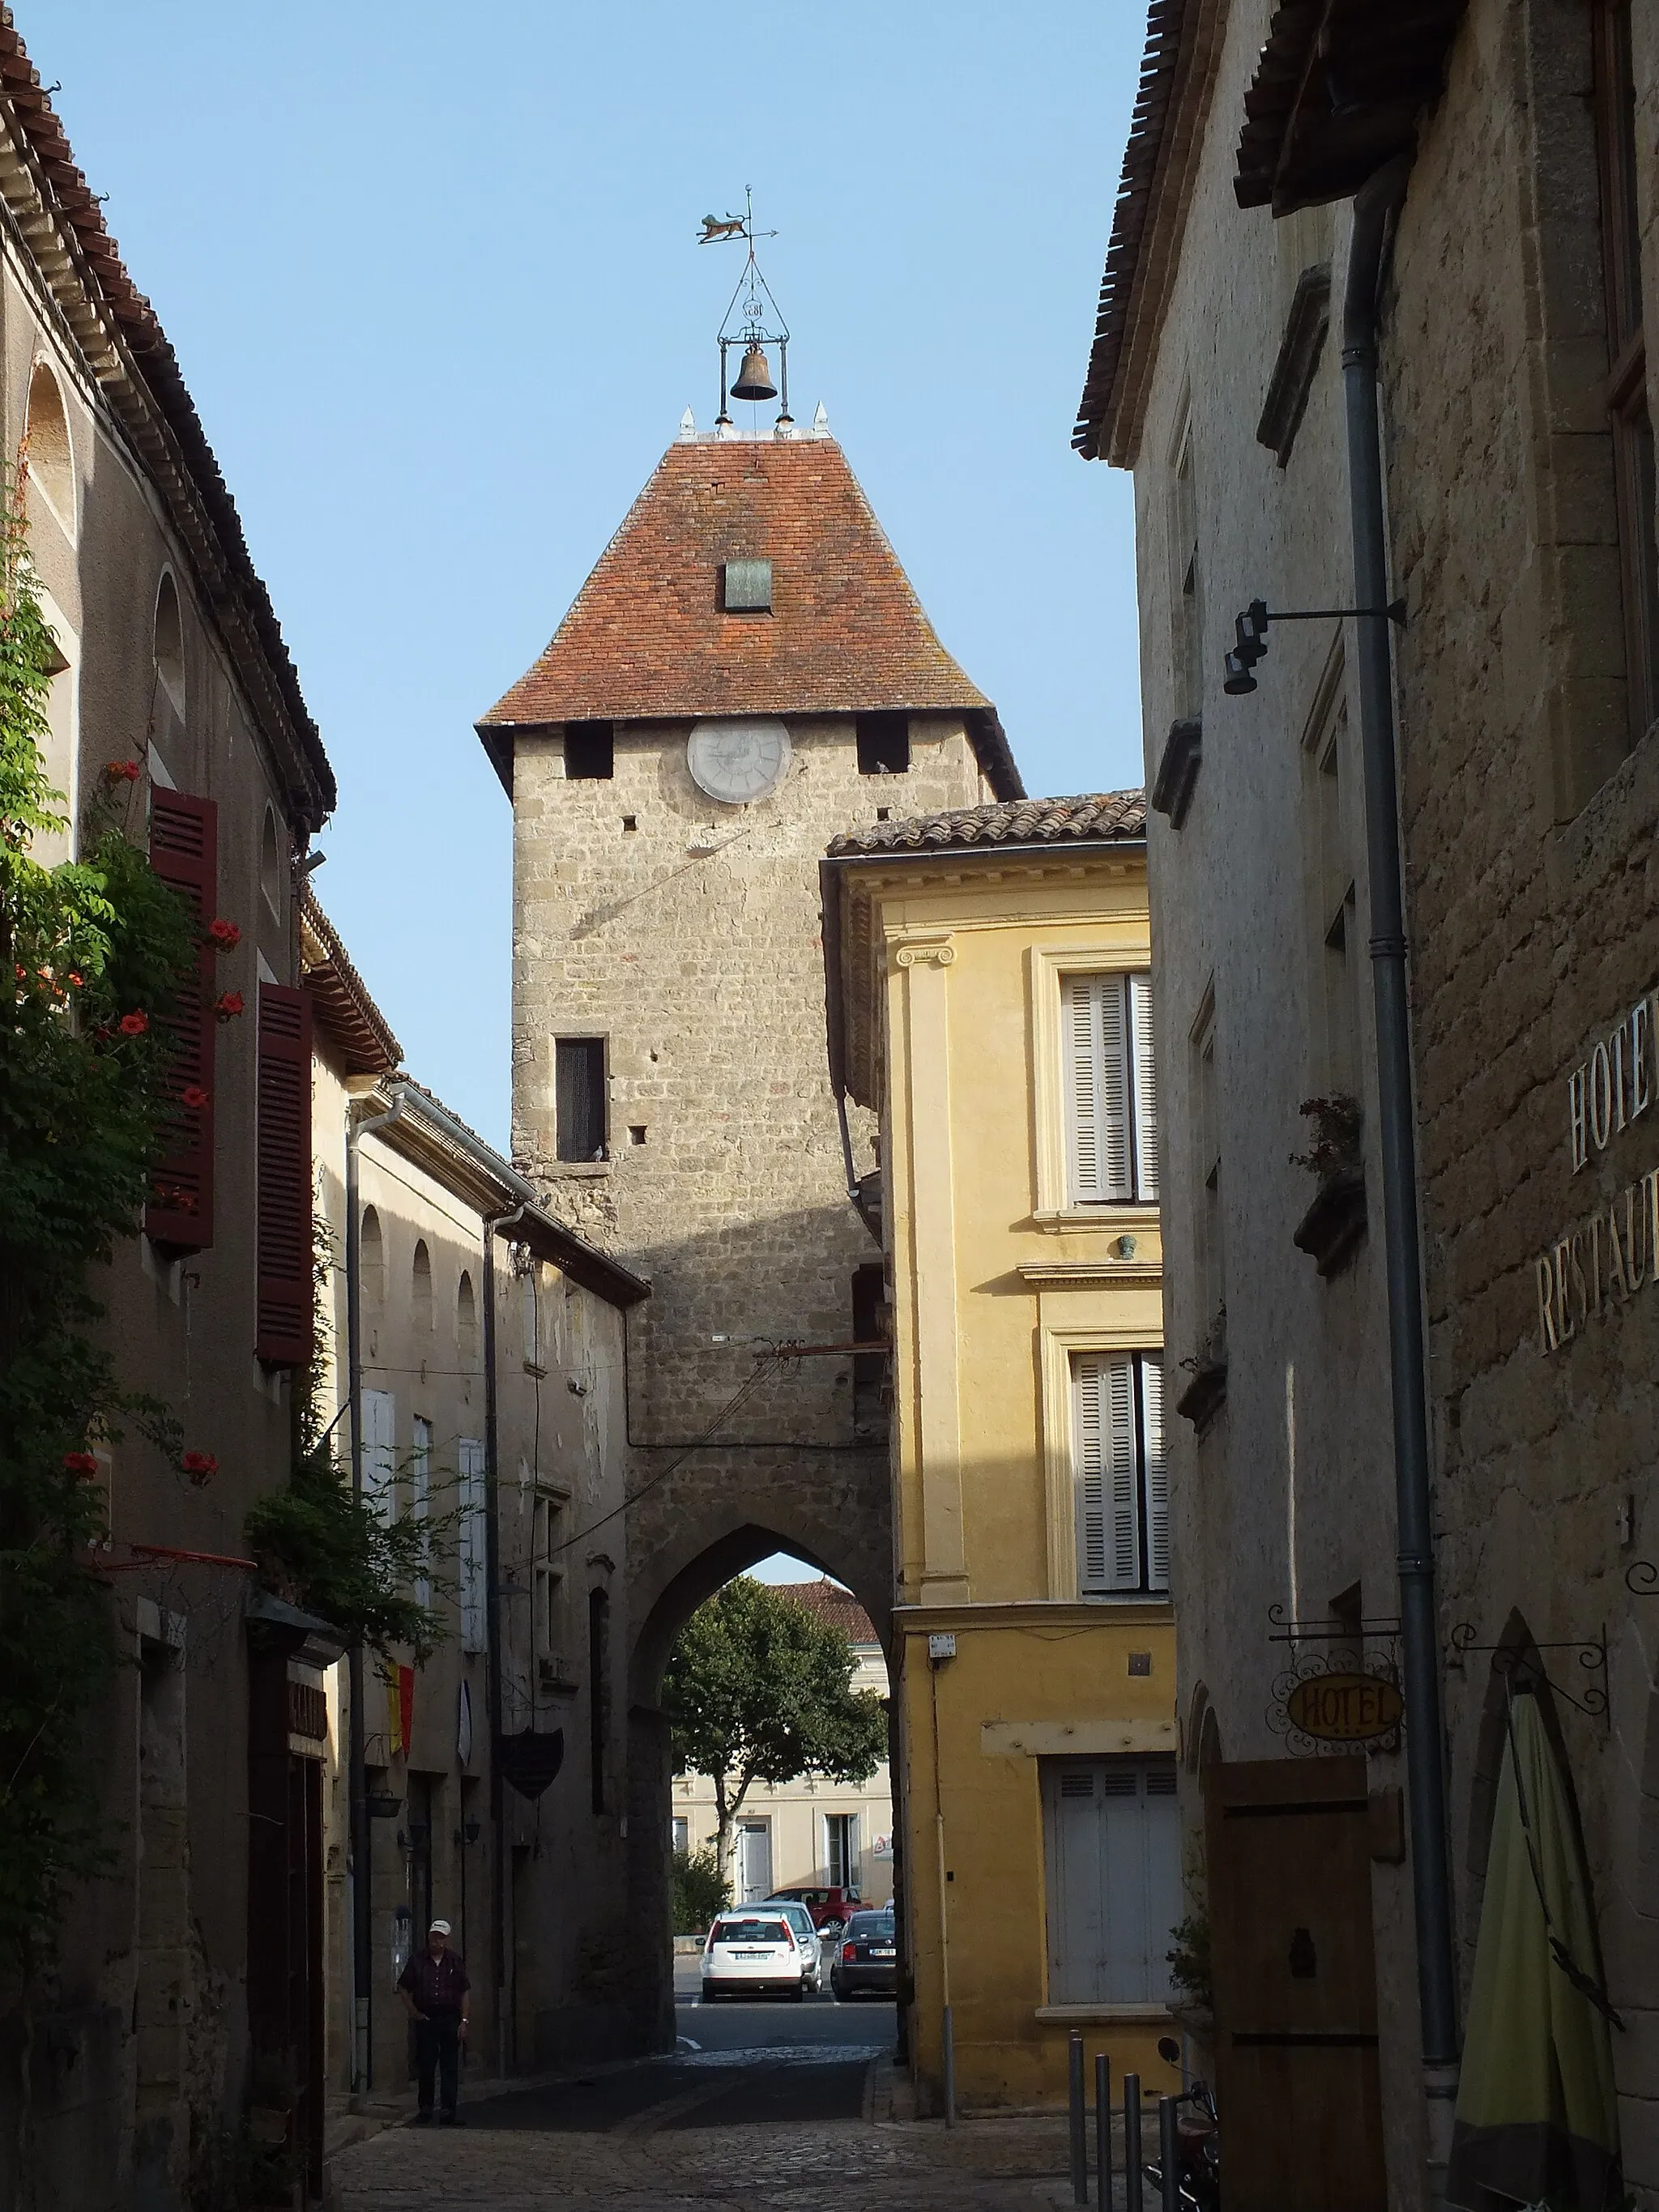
744	676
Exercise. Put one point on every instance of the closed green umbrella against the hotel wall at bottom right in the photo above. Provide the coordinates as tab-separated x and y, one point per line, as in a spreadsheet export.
1538	2120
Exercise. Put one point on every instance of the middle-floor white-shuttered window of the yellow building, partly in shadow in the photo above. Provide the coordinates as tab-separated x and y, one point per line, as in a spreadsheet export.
1118	1472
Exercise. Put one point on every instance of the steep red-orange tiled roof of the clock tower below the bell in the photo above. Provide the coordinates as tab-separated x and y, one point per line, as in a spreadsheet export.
649	640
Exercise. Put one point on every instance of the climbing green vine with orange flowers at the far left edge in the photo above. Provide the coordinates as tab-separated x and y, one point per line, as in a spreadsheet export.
92	957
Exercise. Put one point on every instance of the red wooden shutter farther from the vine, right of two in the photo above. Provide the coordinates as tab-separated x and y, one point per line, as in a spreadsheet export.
284	1176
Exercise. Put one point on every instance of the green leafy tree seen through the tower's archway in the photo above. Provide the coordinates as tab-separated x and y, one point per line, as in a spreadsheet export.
760	1691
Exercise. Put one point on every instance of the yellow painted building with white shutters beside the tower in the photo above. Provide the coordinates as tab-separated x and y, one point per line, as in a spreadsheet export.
988	990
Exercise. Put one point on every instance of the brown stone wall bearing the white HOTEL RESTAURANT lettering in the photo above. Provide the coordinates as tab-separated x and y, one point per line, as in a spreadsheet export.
1534	888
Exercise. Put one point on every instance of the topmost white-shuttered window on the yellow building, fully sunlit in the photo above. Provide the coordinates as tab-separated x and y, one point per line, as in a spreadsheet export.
1112	1089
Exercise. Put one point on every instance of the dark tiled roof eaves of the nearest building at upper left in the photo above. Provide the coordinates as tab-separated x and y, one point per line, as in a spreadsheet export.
112	326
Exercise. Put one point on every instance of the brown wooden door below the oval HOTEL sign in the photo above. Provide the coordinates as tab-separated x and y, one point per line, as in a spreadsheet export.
1295	1985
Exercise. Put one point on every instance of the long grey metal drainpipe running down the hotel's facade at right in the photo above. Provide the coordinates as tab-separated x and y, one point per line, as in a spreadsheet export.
1375	205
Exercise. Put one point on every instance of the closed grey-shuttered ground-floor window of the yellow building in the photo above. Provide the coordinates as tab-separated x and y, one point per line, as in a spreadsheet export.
1114	1839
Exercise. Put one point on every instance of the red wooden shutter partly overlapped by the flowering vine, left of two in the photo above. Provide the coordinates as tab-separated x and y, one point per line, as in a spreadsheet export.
185	853
